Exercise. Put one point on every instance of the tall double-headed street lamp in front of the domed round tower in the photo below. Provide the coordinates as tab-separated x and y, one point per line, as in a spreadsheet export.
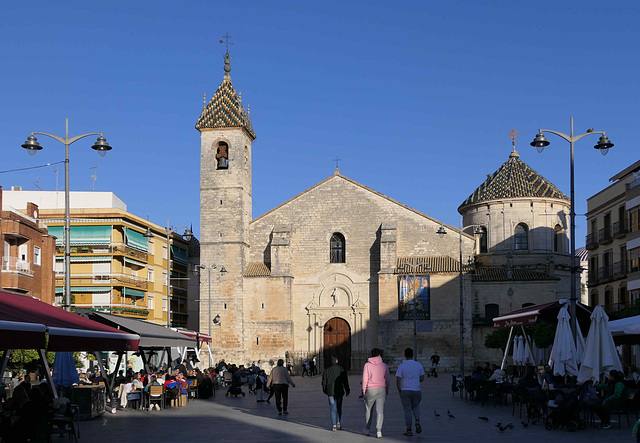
540	142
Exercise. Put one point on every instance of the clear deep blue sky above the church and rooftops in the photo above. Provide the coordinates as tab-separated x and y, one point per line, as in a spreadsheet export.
416	97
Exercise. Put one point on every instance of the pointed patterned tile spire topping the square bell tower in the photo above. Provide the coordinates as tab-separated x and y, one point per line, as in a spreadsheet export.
225	109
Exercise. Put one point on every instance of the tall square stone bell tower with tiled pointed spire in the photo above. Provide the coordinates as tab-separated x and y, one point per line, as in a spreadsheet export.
226	136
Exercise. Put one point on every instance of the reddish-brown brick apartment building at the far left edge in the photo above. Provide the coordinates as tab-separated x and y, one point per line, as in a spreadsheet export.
27	252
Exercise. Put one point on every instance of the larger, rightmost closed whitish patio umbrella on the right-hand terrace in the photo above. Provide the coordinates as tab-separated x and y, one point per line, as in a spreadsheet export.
600	354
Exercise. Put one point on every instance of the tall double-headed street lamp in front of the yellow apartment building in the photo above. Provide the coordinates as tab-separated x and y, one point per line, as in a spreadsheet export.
102	147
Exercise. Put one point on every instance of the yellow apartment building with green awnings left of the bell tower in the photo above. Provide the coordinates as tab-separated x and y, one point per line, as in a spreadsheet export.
120	263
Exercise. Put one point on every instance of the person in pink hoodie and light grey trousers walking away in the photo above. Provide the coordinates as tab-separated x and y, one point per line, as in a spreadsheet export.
375	388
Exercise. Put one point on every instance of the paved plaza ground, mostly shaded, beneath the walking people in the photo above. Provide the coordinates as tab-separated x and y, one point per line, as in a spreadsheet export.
243	419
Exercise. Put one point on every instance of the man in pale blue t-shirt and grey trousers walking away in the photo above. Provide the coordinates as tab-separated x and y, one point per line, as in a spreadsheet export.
408	378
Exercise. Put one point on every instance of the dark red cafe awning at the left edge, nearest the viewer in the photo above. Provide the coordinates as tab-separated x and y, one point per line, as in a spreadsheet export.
67	331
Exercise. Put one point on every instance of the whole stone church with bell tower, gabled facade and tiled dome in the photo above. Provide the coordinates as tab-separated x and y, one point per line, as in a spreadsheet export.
341	268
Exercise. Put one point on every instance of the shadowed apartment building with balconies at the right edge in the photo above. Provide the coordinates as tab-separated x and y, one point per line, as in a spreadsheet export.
613	242
